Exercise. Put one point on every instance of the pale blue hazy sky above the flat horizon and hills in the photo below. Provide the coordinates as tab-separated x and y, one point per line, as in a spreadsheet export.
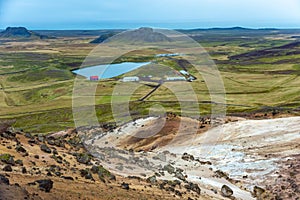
99	14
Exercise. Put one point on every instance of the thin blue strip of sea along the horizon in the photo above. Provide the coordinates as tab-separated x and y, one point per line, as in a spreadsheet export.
97	25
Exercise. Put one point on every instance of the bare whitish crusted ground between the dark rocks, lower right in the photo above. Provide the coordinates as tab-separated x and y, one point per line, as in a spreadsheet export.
251	152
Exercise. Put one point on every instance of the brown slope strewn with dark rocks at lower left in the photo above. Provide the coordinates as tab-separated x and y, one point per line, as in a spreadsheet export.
57	166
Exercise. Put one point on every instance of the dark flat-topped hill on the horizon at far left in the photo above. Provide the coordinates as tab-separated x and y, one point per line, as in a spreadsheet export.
20	32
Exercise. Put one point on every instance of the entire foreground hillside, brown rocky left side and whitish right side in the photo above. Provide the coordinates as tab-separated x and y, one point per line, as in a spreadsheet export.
251	159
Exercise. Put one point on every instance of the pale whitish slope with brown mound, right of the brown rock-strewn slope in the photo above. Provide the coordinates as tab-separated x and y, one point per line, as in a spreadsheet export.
242	159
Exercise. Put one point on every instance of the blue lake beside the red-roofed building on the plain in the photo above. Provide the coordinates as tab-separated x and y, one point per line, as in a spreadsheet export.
110	70
